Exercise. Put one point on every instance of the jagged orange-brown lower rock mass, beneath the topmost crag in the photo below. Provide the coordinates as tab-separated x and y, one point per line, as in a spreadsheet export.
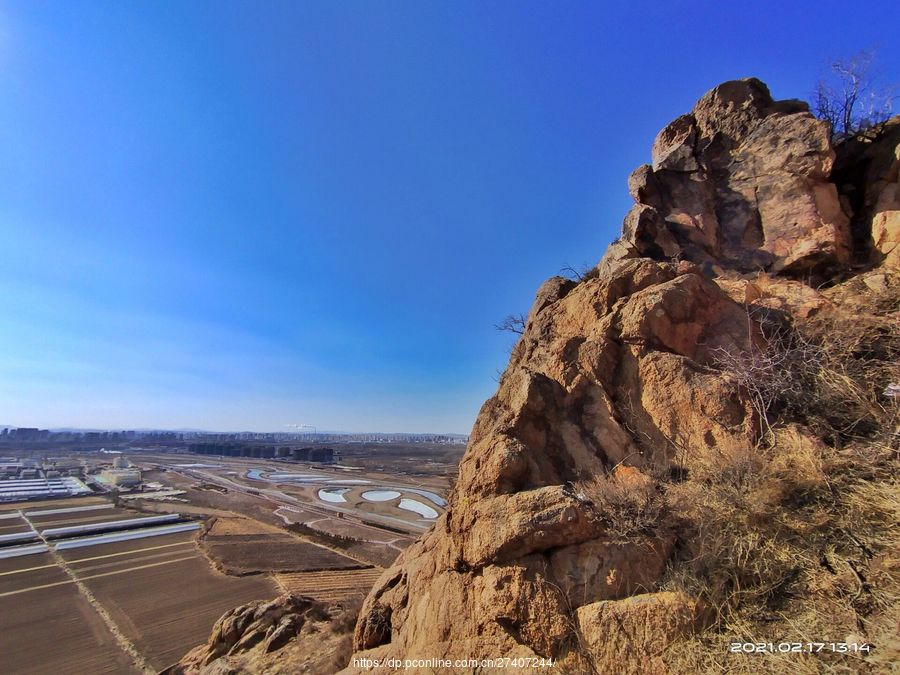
605	373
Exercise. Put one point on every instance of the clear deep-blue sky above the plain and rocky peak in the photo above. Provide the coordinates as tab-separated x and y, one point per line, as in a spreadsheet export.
241	215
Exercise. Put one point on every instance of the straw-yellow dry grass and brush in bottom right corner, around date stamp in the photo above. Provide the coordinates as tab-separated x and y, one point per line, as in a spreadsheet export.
799	545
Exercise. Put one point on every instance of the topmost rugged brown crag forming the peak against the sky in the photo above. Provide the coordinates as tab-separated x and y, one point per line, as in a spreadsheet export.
741	181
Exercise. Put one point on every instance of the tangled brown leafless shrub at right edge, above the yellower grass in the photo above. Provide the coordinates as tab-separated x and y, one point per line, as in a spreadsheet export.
829	373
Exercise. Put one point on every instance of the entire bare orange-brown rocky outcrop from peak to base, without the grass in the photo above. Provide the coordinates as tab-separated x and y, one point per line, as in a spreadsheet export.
618	369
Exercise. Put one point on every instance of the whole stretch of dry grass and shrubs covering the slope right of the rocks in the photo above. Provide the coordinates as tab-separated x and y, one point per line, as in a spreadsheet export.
796	538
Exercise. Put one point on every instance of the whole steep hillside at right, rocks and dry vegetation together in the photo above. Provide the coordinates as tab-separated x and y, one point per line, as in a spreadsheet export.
694	444
